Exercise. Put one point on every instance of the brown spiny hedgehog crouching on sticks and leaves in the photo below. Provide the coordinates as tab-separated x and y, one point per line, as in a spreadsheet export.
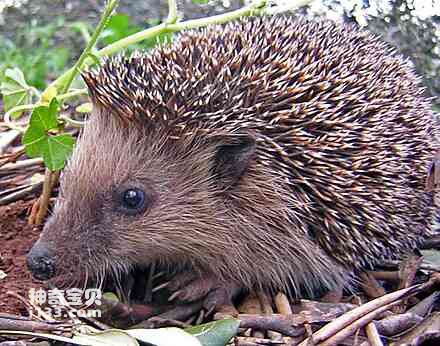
269	153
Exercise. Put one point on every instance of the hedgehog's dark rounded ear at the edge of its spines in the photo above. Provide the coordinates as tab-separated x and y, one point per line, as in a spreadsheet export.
232	159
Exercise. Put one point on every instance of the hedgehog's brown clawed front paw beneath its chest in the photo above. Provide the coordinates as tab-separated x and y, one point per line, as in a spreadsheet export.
216	296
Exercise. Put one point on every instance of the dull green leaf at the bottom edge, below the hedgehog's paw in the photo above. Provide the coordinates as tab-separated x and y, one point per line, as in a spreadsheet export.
217	333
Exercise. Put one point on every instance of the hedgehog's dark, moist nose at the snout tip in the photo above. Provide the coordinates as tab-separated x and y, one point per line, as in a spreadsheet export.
40	262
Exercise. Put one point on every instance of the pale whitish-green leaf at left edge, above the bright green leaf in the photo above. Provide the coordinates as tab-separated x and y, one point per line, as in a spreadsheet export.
15	90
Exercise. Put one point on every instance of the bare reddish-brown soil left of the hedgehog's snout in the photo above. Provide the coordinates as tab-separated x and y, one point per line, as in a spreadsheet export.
16	238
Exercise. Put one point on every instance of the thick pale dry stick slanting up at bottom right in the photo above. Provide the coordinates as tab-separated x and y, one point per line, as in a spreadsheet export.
343	321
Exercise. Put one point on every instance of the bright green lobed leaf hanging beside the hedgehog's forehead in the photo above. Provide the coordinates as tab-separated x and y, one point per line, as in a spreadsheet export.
38	142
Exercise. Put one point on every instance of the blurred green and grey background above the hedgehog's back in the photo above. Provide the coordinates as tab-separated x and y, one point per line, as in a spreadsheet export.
43	37
